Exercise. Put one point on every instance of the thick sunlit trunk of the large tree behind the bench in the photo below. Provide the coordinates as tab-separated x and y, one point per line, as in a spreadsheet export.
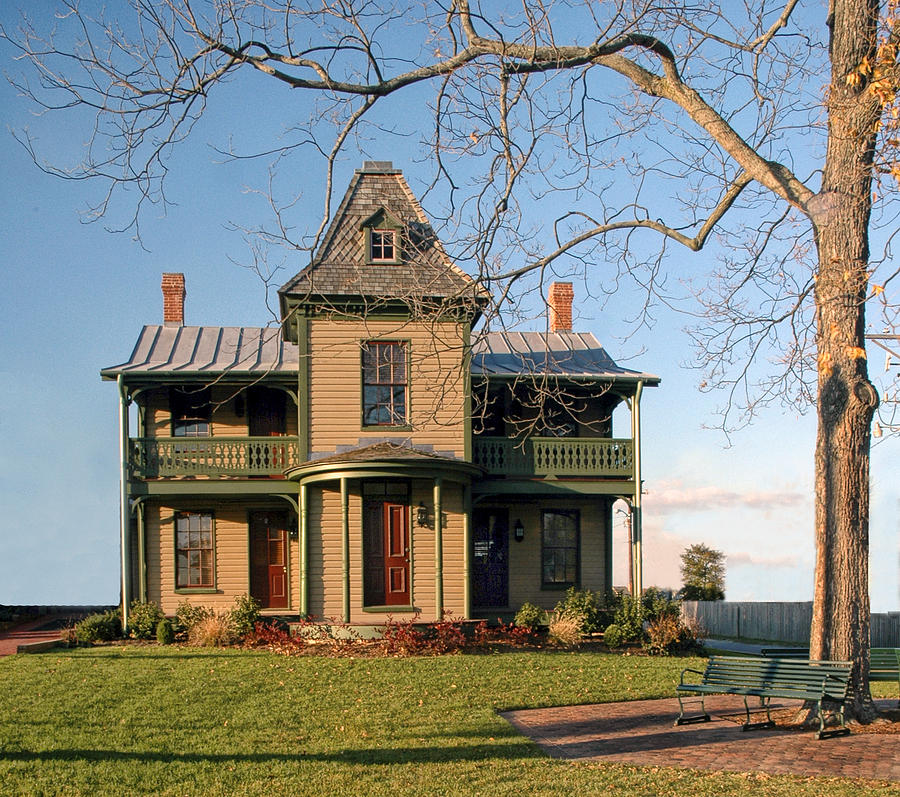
847	399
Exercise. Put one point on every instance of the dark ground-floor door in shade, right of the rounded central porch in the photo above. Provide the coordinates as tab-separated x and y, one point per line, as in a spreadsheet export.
490	557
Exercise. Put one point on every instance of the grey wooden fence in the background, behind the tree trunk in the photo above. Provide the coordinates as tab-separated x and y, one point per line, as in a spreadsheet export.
777	621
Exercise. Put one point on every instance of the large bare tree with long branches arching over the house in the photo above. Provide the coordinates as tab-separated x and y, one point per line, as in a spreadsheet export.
751	129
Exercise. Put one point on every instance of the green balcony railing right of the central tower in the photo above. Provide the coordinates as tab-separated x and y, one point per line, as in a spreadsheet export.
555	457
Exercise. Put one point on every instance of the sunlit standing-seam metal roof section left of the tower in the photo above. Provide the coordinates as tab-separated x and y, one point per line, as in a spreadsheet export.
207	351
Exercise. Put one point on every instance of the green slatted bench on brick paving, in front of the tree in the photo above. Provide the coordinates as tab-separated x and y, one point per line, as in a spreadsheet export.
821	682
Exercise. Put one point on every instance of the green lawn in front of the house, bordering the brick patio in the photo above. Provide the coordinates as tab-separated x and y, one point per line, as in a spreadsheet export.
134	720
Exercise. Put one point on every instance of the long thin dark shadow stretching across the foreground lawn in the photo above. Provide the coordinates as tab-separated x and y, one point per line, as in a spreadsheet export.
400	755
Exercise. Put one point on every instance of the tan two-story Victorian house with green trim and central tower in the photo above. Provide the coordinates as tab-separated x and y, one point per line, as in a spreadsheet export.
375	455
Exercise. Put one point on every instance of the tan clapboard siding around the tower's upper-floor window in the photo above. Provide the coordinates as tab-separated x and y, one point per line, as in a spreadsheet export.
436	384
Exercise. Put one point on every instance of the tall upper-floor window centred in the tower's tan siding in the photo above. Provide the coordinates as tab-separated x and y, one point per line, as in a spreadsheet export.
384	384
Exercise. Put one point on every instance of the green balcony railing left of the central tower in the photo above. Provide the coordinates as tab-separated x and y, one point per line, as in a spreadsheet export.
153	457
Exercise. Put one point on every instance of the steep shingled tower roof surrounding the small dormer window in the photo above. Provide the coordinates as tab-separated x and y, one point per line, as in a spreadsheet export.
339	268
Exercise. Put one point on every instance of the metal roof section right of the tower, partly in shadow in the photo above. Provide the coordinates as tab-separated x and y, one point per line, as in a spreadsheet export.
563	354
